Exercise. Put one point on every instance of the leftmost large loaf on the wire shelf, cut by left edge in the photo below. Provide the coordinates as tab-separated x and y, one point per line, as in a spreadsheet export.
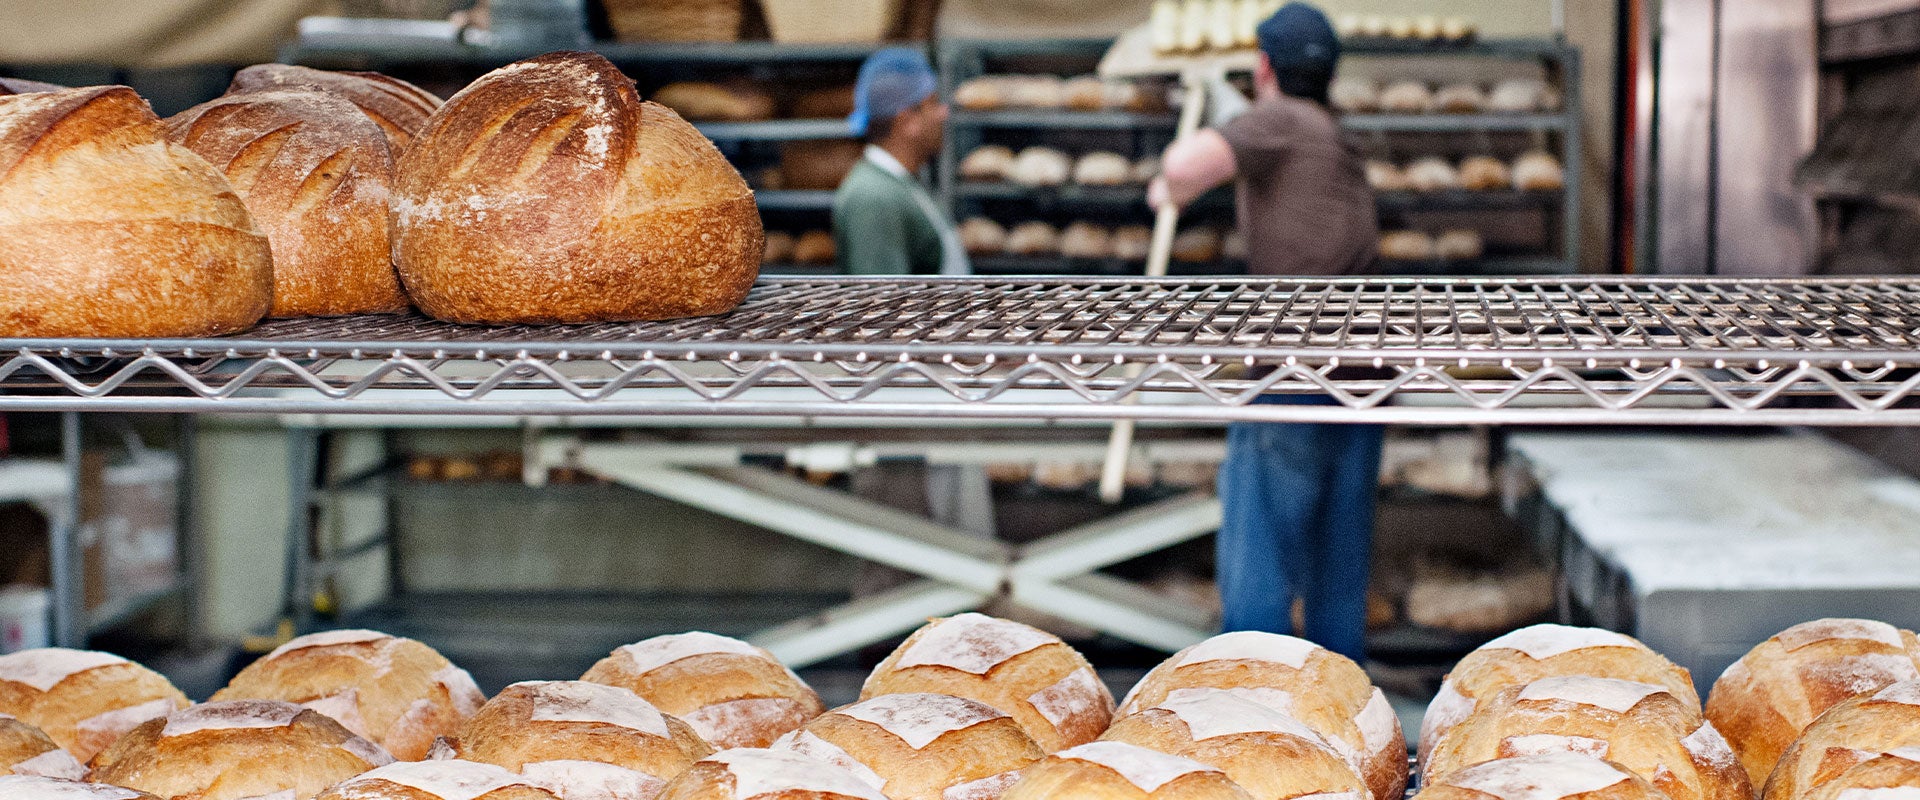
107	229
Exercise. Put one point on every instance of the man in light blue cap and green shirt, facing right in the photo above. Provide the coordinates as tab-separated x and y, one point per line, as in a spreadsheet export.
884	220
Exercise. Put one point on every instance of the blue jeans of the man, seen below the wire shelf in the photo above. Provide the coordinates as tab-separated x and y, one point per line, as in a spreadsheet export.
1299	521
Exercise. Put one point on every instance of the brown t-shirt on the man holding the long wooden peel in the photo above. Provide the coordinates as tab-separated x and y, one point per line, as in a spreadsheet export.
1303	191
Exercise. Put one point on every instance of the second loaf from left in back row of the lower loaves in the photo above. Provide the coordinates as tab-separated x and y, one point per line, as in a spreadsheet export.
393	692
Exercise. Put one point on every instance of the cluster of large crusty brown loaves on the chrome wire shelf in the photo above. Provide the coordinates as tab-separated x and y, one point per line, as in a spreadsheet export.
537	195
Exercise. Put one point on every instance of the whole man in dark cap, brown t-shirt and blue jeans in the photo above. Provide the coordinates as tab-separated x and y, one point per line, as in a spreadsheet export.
1297	500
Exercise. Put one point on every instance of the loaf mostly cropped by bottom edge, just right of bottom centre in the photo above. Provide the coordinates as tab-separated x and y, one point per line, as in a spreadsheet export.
1122	772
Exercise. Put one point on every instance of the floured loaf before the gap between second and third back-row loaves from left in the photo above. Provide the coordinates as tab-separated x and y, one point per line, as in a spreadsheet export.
583	741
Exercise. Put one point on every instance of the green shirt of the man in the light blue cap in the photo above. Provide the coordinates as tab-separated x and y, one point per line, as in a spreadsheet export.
880	227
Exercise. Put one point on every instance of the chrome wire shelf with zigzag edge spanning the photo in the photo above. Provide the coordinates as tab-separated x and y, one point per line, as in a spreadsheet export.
1383	350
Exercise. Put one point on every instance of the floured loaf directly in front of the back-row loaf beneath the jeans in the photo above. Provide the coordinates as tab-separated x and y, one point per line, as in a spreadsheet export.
1270	755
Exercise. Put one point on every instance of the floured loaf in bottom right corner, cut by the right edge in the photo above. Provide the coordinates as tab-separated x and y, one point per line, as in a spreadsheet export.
1848	734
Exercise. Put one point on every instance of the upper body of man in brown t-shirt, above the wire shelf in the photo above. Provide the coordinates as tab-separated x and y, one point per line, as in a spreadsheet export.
1303	189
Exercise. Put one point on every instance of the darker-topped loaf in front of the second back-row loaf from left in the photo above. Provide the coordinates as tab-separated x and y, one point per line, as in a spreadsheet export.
237	749
